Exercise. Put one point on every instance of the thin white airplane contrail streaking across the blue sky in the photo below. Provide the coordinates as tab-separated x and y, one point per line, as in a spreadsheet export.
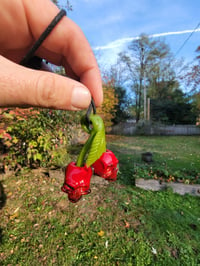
122	41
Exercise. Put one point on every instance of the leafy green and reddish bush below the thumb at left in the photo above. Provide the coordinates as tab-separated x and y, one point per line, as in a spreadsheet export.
33	137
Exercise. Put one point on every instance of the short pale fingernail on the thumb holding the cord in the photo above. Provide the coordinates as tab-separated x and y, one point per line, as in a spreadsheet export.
81	97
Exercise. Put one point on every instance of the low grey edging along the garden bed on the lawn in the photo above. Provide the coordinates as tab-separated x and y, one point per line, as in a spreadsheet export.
156	185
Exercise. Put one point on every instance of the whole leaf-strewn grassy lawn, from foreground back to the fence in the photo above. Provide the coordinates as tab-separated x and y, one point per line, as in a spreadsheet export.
117	224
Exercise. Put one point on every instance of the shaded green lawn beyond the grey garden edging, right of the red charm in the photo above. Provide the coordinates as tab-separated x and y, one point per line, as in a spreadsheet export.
172	156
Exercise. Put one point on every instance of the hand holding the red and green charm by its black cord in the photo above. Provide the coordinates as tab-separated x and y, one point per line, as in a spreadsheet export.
21	24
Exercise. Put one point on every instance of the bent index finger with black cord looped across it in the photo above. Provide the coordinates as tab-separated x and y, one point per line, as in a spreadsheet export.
66	45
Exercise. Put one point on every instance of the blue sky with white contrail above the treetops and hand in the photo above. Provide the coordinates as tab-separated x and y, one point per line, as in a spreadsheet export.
110	25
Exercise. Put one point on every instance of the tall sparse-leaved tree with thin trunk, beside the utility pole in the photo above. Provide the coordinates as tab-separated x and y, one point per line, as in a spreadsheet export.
143	63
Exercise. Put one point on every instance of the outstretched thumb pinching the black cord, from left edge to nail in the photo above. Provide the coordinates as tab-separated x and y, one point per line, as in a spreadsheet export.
23	86
